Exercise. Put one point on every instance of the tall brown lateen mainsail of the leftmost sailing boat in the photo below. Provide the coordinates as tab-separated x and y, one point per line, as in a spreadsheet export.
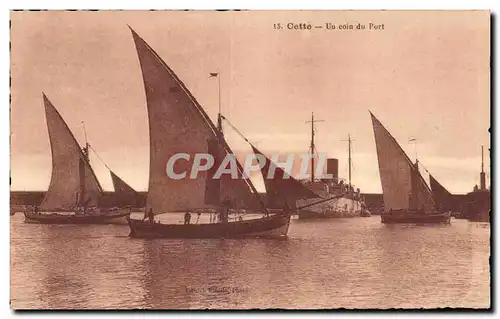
71	172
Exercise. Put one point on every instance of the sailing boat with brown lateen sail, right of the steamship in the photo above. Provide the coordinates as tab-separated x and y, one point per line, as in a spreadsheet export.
407	198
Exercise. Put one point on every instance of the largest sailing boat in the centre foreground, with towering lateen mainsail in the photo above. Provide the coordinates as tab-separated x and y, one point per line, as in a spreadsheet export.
178	124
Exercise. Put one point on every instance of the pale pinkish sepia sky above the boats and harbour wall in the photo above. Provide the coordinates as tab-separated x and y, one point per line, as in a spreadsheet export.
425	75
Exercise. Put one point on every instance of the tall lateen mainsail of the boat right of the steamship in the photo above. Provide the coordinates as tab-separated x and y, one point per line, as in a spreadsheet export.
402	185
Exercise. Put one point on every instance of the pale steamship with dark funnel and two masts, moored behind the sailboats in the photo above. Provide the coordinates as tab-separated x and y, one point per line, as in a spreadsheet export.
337	198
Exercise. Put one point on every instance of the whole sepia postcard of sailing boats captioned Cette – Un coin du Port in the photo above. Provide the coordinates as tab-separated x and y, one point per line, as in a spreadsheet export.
180	160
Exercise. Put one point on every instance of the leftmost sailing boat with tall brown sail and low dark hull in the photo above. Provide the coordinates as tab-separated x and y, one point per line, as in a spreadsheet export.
74	187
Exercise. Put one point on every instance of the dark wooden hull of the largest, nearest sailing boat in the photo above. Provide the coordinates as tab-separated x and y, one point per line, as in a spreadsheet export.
275	226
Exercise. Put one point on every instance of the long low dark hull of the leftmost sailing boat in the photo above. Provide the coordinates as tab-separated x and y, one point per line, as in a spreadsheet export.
118	217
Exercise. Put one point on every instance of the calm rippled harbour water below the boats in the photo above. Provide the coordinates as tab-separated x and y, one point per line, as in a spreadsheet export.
336	263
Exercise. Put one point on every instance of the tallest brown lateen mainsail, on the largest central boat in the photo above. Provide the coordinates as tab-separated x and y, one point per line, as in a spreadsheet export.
178	124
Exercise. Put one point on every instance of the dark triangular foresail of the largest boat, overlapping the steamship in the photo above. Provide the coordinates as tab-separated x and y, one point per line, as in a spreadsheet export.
280	190
